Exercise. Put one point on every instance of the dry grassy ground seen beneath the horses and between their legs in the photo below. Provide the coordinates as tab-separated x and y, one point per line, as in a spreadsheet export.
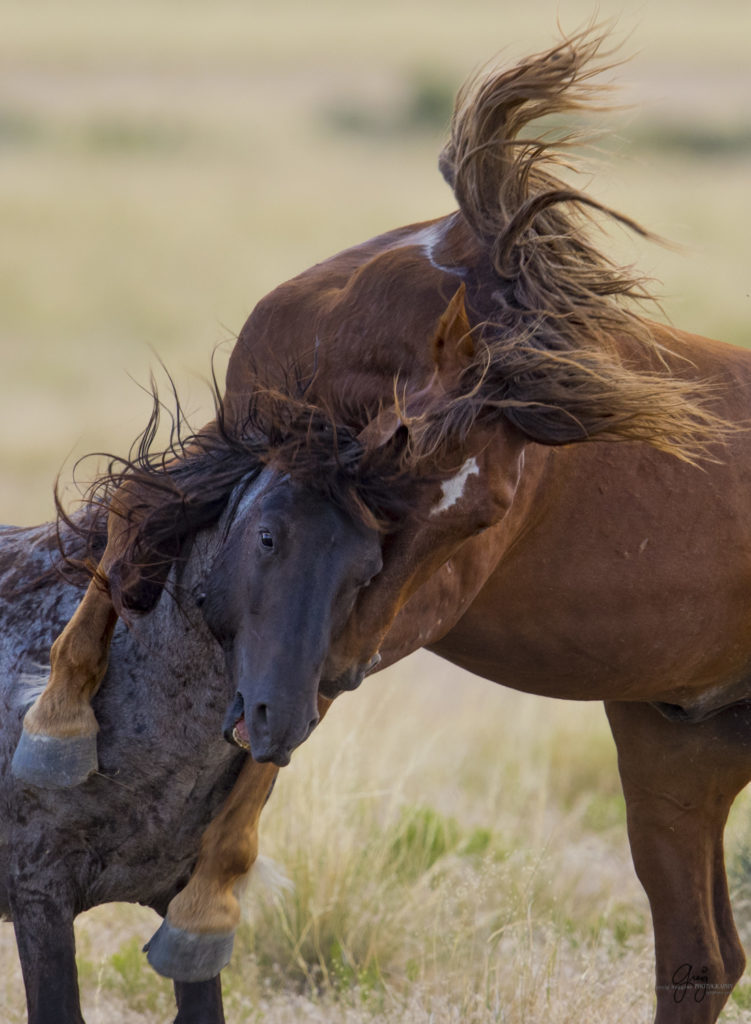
447	866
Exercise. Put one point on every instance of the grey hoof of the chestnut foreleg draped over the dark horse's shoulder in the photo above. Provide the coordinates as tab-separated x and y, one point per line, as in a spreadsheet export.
53	763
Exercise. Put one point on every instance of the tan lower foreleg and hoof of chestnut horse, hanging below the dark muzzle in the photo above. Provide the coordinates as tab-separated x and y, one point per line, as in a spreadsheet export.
195	942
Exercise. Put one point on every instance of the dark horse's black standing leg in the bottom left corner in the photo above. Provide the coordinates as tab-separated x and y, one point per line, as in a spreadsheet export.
48	952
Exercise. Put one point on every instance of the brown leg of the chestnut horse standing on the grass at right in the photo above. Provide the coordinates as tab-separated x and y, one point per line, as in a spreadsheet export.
680	782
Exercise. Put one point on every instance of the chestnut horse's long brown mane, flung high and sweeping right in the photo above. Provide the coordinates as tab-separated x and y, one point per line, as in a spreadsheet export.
548	345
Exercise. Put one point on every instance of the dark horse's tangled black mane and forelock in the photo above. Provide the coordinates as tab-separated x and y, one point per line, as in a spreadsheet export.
185	486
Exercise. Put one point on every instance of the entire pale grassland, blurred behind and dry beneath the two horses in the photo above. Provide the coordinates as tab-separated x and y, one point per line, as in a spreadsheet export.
458	852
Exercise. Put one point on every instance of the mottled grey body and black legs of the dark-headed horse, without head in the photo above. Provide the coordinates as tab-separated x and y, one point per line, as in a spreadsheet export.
132	833
